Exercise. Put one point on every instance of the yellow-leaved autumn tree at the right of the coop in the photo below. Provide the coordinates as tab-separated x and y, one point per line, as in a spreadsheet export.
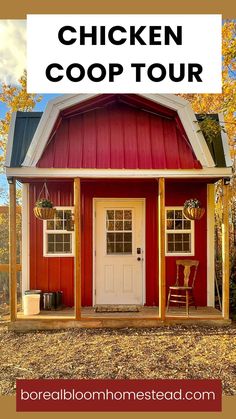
225	104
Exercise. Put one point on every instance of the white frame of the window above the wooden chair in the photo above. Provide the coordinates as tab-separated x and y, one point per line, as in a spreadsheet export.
191	231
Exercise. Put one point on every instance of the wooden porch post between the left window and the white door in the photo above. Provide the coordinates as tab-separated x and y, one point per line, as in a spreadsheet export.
77	225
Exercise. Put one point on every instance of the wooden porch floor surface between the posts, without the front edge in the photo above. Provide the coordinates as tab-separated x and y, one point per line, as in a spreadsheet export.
143	313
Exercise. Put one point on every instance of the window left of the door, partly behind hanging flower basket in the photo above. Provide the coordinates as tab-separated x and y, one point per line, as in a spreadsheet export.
59	234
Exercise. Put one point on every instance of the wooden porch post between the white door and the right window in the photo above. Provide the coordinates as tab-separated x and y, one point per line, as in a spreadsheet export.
161	247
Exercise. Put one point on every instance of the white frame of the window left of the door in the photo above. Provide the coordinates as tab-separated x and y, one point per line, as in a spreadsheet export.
46	232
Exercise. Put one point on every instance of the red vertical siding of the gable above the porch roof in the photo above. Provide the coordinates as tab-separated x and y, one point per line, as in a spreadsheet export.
118	136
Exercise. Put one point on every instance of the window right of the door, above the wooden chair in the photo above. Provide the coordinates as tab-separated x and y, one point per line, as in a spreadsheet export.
179	233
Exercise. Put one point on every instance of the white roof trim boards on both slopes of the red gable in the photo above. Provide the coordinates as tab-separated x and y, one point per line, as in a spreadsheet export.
180	105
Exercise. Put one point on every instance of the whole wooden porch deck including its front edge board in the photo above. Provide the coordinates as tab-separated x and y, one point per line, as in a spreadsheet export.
146	317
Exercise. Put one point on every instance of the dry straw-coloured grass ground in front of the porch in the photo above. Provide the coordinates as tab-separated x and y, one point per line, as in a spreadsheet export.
166	352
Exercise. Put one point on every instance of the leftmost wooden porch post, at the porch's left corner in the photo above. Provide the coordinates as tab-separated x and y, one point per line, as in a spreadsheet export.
12	251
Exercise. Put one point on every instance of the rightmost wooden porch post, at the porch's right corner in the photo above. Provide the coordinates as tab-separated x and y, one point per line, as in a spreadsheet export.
225	253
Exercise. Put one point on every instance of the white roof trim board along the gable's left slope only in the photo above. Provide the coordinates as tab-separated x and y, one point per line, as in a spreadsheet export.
47	122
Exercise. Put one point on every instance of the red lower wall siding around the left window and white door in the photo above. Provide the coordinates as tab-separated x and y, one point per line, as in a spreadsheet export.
50	274
